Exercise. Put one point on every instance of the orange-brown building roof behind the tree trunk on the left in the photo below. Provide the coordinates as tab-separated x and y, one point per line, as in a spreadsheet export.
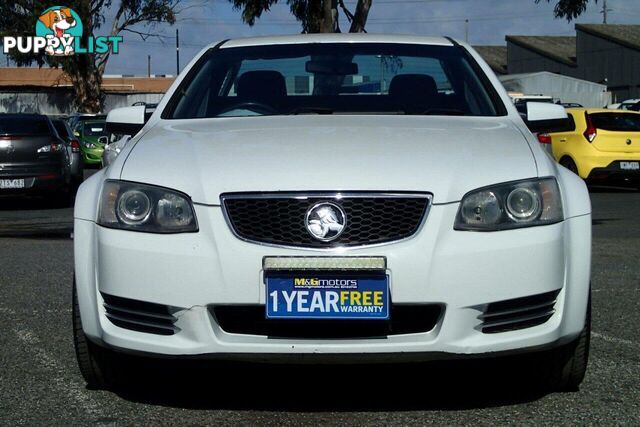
25	77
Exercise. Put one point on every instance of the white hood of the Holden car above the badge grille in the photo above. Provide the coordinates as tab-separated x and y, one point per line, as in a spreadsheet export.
446	156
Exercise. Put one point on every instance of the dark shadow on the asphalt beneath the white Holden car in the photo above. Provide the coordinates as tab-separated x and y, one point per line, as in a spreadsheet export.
328	388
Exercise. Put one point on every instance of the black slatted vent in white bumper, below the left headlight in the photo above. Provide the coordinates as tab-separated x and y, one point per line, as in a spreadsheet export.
139	315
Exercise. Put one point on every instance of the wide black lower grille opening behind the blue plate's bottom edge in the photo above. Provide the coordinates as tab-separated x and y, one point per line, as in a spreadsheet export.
250	320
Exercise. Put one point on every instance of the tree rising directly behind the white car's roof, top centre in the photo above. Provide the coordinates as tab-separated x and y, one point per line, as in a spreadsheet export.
315	16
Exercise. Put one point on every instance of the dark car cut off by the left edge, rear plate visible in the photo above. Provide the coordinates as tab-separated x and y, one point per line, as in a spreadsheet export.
33	157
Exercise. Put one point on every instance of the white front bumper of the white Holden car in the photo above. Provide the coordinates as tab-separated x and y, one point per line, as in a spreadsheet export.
461	271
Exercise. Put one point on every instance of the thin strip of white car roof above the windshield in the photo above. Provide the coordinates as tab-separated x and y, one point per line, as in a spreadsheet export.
334	38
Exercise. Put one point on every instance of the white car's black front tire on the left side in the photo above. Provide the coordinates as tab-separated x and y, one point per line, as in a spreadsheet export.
96	363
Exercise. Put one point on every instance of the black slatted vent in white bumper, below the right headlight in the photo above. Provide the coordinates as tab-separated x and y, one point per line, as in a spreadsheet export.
519	313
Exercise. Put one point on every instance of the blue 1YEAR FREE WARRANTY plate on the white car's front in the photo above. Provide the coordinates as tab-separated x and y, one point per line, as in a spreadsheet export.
322	296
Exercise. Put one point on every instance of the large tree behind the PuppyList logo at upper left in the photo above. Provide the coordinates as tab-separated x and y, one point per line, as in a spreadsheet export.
18	18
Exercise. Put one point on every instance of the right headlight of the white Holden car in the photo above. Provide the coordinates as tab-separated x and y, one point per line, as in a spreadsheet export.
511	205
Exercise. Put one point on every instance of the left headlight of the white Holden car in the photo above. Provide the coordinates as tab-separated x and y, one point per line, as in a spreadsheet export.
140	207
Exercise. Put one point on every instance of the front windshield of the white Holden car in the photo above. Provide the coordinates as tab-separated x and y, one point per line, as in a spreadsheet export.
334	78
